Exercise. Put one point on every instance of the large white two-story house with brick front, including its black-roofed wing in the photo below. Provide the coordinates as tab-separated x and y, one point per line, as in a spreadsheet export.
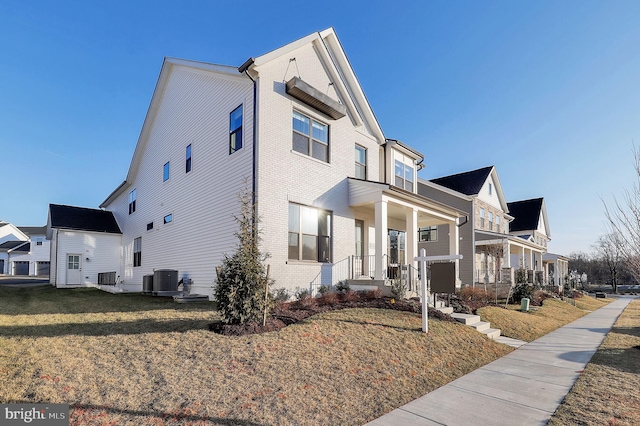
336	199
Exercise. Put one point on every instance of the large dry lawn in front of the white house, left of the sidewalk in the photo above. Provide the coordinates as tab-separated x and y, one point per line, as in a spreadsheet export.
136	360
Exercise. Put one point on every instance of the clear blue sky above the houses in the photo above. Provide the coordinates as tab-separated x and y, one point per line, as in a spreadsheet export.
546	91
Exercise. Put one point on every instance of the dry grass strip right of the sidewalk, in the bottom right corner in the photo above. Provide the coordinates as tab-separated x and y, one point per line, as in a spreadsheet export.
608	392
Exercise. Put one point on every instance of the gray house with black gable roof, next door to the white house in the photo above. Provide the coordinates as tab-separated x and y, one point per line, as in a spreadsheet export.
484	237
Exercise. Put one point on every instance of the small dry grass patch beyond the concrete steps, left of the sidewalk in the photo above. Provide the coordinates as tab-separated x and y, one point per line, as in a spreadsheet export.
529	326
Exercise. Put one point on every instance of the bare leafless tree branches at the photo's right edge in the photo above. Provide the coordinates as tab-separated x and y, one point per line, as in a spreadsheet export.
624	220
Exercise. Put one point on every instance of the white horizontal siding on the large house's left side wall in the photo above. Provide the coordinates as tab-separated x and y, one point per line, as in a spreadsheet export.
195	106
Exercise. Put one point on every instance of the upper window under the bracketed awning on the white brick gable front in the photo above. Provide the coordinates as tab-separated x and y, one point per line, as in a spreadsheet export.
310	137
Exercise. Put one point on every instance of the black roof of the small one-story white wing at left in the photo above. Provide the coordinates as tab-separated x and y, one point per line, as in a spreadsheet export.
83	219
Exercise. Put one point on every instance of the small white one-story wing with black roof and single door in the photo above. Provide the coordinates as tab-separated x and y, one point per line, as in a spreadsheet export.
84	243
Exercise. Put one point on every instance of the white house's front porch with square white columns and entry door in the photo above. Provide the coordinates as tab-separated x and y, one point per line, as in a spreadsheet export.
387	228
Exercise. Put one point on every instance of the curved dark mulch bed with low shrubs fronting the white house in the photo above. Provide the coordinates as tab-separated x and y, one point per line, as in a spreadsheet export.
285	314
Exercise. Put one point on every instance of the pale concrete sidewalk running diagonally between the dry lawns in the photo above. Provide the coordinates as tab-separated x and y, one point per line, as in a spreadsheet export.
522	388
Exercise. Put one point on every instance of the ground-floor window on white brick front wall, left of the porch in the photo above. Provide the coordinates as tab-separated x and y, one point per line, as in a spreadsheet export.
309	233
